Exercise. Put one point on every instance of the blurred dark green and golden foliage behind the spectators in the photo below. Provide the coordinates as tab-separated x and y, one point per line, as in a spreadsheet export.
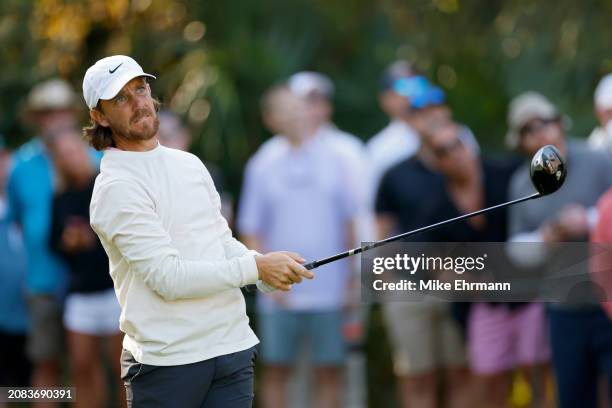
214	59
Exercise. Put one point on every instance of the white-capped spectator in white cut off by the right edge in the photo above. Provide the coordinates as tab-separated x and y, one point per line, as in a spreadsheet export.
601	137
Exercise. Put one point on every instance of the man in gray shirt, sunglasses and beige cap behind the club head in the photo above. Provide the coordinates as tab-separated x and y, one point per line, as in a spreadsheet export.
581	333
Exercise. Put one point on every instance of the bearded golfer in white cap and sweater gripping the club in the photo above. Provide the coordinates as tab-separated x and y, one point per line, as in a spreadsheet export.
176	268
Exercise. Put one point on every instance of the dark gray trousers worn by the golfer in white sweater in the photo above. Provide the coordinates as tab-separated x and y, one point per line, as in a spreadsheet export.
220	382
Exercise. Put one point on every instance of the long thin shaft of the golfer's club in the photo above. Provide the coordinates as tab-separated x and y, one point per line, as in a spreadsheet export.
320	262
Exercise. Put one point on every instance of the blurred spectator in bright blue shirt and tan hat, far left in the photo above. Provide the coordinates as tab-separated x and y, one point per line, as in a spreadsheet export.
30	191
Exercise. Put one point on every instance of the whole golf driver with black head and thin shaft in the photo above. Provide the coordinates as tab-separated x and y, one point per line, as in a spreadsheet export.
547	172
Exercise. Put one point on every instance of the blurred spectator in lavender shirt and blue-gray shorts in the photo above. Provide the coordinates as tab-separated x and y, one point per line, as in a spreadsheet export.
304	187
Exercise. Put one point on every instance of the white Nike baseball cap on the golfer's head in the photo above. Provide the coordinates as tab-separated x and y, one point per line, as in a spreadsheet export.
107	76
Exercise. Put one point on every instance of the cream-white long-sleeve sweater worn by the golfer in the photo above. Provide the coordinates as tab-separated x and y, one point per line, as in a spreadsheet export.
176	268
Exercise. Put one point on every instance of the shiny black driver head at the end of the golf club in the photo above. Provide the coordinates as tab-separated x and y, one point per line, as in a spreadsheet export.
547	170
